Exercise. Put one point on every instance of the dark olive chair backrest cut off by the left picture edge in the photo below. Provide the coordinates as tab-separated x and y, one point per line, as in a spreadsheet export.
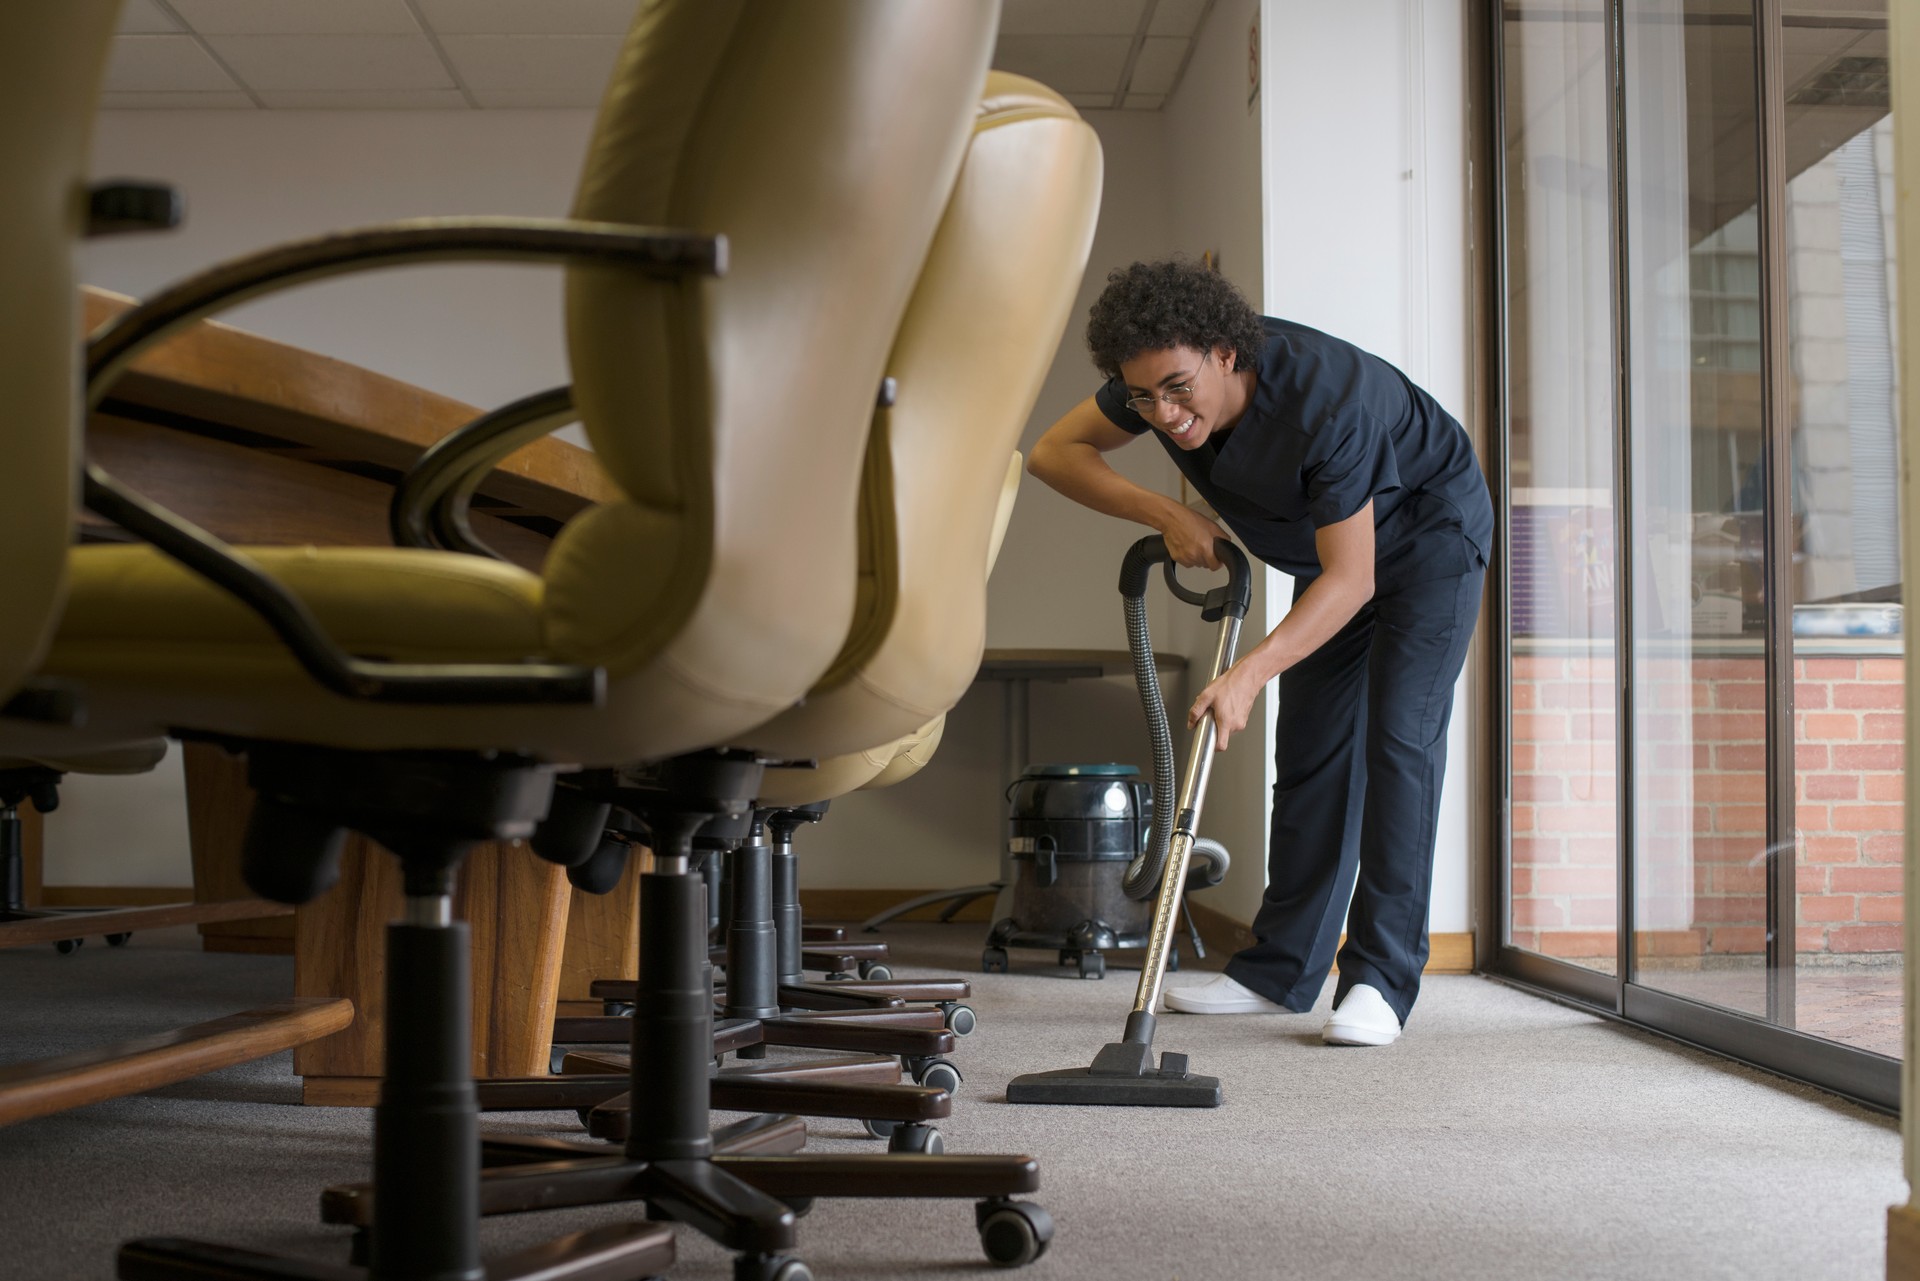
51	64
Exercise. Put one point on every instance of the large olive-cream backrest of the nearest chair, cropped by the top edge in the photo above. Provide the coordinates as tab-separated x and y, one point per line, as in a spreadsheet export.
821	137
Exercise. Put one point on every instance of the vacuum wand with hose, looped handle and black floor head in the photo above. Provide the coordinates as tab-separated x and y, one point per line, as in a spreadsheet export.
1124	1073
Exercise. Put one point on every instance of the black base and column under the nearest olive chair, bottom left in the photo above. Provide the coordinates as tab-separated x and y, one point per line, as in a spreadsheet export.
429	810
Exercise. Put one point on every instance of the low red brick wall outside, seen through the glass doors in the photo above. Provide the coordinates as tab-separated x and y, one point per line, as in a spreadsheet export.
1702	806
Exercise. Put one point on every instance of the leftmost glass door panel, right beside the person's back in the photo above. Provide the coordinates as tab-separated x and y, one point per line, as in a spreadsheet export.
1564	858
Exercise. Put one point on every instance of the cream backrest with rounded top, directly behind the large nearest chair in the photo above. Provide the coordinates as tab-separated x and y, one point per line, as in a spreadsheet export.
974	349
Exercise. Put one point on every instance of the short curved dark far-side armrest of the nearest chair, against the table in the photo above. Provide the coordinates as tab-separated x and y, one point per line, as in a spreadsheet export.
431	504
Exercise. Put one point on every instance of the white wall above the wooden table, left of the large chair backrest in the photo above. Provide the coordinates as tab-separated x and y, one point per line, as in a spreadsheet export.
479	333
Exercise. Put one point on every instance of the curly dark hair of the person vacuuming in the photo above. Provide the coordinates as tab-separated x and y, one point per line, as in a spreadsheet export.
1170	304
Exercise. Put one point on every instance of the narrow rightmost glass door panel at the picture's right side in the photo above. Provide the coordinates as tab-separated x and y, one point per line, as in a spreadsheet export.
1850	694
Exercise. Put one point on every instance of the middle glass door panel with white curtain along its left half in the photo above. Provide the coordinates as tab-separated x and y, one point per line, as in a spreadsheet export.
1694	416
